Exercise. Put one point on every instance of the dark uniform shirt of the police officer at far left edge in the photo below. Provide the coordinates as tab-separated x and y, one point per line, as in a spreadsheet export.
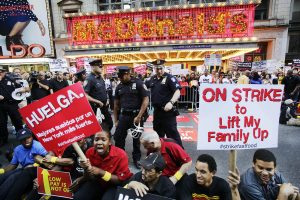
7	86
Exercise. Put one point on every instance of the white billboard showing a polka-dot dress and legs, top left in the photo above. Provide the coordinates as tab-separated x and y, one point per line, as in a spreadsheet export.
38	31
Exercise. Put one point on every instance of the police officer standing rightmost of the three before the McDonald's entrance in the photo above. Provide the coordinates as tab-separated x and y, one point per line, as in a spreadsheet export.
165	91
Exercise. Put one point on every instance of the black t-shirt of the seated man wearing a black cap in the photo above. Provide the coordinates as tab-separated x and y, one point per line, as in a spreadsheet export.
164	186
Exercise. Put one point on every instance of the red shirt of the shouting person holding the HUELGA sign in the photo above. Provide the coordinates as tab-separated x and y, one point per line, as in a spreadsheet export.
116	162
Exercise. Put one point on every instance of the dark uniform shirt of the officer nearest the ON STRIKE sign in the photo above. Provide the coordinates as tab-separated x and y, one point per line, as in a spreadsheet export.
162	89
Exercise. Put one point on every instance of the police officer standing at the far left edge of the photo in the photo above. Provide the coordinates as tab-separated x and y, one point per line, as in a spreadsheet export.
8	106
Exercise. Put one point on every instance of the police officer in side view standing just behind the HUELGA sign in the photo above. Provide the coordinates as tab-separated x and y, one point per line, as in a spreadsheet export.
94	86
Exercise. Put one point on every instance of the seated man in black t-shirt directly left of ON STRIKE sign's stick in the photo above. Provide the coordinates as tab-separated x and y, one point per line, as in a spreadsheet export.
203	184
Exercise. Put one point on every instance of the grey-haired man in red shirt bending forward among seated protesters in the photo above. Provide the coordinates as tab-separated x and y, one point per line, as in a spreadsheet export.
177	159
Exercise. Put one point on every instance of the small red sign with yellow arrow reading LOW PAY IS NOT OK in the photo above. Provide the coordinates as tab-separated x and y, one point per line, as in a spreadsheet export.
54	183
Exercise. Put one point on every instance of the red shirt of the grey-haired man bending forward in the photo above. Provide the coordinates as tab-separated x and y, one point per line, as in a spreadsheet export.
179	154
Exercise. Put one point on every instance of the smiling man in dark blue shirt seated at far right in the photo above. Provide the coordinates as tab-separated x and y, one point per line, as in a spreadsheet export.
263	182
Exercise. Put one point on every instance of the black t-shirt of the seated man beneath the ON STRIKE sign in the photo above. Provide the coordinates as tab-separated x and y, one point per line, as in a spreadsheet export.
191	190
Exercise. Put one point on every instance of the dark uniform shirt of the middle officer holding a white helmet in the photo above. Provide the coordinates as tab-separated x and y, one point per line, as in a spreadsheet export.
131	94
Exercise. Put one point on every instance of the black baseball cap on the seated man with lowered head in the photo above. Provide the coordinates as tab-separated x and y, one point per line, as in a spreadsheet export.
153	160
